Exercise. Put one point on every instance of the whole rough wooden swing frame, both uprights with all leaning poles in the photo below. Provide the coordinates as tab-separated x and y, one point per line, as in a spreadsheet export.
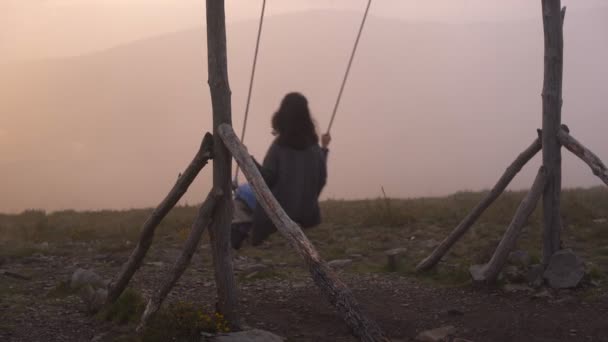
216	210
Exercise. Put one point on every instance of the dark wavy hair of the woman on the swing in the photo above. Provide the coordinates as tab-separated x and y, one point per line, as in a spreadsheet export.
293	123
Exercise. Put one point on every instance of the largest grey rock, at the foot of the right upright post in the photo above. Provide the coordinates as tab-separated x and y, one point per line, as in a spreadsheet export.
565	270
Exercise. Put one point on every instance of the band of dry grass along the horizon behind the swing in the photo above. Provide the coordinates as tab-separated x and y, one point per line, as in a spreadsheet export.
360	230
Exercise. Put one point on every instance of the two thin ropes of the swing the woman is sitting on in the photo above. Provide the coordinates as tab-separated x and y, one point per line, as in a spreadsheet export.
255	59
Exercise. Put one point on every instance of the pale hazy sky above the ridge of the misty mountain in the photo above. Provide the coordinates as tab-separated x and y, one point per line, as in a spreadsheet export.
42	28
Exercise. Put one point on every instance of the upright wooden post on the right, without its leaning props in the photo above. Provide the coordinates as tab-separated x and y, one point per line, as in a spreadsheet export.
552	109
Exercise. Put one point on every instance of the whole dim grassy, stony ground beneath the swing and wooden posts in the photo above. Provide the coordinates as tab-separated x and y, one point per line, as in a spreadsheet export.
280	297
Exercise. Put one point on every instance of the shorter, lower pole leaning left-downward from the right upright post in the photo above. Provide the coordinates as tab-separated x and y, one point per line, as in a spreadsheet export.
490	271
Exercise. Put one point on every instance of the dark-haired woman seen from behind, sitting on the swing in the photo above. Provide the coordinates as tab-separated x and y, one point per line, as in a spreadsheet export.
295	167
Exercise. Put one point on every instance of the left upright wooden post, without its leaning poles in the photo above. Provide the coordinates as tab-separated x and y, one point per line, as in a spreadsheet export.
219	231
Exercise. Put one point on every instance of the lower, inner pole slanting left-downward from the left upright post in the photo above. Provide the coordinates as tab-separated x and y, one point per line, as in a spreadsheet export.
203	219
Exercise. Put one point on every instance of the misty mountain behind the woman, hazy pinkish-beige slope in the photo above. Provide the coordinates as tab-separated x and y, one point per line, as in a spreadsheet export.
429	108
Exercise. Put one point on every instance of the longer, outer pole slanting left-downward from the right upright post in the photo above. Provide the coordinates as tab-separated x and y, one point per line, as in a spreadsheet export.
430	261
